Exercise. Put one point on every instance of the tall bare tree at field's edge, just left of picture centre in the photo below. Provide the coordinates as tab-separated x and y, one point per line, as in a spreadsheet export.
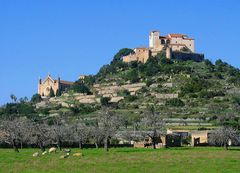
108	123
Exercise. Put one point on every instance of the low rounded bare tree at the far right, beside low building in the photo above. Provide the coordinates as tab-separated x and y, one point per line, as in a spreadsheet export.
224	136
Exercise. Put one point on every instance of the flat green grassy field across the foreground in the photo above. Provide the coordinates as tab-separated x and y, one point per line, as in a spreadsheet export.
123	160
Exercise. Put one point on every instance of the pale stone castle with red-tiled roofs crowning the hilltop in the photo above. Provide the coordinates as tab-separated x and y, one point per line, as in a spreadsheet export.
169	43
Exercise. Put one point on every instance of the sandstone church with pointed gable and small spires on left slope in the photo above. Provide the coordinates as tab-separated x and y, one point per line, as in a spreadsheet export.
45	86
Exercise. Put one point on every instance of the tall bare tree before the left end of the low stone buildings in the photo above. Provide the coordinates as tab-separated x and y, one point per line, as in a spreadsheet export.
153	125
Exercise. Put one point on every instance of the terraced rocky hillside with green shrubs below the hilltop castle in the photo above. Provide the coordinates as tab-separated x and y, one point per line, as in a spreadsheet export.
198	91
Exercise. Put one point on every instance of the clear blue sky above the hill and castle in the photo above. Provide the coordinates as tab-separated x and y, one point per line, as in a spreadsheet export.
69	38
